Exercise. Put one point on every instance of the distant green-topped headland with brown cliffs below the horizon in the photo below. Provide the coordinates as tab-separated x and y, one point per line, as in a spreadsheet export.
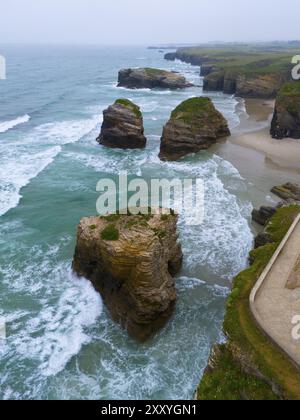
255	73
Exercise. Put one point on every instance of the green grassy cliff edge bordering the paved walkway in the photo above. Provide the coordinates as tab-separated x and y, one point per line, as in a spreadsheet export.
246	342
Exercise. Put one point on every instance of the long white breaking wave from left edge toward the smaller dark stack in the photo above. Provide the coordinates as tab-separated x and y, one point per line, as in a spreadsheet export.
24	158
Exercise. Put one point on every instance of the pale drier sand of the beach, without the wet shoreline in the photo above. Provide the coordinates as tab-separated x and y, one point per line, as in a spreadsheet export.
284	154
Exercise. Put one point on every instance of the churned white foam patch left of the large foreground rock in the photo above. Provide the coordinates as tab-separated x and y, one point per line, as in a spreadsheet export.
63	308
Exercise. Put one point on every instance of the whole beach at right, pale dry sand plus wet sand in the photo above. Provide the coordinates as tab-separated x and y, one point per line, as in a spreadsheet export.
262	161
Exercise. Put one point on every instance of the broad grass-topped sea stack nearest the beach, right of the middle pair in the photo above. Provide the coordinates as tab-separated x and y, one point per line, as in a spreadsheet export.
194	125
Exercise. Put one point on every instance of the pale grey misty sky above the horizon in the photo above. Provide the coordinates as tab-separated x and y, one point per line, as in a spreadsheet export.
147	22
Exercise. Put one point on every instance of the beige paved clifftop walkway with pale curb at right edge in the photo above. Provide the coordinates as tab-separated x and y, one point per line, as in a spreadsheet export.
275	299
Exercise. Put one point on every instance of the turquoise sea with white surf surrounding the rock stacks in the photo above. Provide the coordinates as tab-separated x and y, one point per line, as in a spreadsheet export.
61	342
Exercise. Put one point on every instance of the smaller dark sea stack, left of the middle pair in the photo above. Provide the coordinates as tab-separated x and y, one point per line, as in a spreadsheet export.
122	126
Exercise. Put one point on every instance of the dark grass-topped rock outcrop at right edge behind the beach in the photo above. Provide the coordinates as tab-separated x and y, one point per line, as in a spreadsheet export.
286	119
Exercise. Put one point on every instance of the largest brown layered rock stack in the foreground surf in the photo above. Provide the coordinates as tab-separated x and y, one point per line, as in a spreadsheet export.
131	261
